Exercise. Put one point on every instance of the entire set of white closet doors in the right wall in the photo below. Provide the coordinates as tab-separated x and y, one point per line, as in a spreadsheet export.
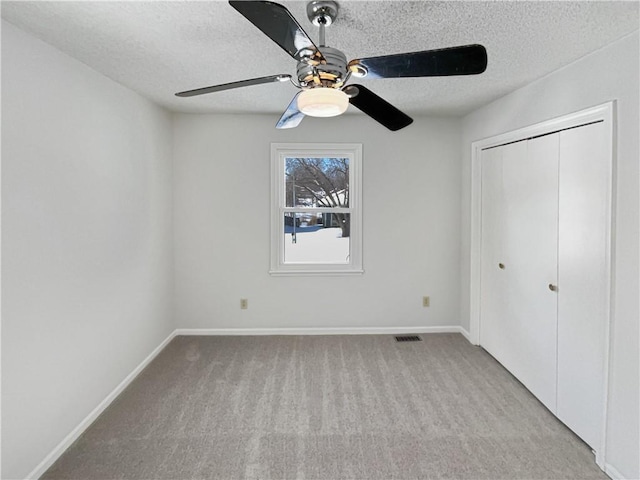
545	280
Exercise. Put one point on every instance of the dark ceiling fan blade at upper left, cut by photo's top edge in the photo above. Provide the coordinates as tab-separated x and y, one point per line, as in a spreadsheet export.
277	23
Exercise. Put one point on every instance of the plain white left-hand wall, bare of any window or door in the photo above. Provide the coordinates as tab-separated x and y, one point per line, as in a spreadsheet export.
86	242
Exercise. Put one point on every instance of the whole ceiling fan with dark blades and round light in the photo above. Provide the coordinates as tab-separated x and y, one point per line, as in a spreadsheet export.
323	72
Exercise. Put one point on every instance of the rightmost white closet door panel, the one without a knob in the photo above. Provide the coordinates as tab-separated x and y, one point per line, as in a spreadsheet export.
583	298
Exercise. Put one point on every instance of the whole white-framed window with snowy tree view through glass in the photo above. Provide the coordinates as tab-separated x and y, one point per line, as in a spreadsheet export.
316	220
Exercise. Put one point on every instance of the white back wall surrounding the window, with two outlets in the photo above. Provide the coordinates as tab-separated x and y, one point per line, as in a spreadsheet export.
411	217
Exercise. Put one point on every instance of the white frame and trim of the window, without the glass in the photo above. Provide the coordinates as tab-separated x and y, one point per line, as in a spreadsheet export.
280	151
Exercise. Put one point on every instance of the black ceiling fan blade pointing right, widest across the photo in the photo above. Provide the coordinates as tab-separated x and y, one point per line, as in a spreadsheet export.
464	60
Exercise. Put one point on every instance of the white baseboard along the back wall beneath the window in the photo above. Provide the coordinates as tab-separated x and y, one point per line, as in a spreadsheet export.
319	331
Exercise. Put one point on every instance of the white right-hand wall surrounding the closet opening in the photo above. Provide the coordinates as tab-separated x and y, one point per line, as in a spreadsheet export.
609	74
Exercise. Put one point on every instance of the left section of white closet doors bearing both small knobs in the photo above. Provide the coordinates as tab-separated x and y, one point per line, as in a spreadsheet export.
518	323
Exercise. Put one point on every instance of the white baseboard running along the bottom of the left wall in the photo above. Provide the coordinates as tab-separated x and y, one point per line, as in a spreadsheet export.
89	419
